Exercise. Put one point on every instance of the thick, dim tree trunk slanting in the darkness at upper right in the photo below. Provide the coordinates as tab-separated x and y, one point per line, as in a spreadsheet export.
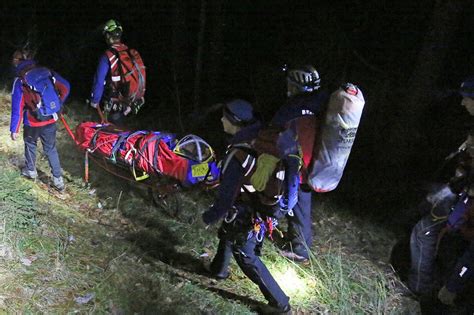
414	124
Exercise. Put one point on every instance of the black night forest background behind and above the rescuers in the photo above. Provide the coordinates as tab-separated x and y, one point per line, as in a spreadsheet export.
407	56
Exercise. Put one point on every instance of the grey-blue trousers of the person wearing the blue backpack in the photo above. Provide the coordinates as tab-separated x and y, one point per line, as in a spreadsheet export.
47	134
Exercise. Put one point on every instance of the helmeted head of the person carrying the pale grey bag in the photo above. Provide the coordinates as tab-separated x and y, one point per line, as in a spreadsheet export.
303	79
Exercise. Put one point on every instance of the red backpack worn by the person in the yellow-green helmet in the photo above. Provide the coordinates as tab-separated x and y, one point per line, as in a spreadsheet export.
127	74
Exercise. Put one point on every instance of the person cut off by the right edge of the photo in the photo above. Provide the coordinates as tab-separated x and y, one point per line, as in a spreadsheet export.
451	209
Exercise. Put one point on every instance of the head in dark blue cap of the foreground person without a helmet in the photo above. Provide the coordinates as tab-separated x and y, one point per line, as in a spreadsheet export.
236	115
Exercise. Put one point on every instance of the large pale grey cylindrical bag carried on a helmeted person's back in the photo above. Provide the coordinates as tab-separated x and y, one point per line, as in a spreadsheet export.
337	135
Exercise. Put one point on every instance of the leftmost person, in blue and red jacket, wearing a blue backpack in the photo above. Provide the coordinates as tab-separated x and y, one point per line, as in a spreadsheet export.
33	127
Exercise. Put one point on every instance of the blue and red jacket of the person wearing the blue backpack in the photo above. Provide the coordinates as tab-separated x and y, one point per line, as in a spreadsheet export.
19	111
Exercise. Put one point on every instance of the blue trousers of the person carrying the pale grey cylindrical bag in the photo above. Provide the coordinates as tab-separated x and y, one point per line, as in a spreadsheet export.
300	225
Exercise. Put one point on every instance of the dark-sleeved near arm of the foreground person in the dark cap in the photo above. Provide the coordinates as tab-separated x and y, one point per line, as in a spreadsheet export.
228	191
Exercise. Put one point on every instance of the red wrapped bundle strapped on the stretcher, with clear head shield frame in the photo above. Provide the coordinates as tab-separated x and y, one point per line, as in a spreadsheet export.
190	160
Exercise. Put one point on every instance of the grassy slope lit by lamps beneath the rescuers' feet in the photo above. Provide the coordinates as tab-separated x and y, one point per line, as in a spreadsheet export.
108	241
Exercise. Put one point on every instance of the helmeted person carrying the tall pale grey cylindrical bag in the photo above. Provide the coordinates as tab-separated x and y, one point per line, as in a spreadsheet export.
305	103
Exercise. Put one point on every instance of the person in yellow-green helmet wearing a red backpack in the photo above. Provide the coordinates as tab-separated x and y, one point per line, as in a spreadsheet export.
107	96
